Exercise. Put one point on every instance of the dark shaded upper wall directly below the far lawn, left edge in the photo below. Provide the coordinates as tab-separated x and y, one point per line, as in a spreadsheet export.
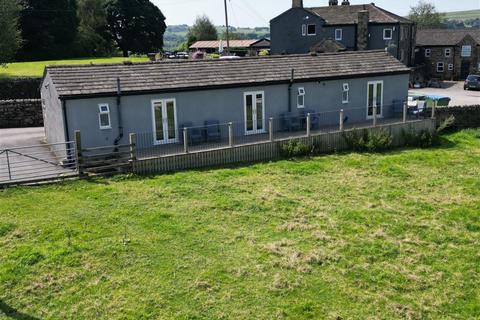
20	88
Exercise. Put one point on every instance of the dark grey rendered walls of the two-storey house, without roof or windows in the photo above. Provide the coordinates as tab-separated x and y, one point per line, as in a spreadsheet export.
286	35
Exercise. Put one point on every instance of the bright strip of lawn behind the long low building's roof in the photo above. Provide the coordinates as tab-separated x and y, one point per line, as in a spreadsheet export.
35	69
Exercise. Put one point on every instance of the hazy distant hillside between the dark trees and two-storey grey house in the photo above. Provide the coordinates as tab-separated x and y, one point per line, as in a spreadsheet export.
175	35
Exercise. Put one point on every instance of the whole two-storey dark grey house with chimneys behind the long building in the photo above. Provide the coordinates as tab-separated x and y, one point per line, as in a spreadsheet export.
352	27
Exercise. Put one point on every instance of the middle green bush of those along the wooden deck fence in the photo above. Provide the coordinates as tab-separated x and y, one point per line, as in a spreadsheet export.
368	141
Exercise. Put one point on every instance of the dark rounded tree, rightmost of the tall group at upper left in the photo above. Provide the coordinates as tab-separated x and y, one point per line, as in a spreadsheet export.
135	25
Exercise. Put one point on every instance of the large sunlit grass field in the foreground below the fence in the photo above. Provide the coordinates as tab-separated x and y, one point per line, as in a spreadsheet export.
349	236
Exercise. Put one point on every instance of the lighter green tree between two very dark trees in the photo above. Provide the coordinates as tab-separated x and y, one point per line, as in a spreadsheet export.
93	38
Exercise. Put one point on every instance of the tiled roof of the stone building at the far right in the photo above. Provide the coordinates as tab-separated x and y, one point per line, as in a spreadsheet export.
445	37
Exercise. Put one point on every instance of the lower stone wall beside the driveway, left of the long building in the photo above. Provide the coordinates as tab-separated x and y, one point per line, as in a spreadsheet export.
21	113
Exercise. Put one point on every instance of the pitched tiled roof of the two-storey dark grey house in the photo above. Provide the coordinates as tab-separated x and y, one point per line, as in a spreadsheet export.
349	14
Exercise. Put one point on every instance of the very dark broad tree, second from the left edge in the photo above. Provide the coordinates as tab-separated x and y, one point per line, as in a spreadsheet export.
49	28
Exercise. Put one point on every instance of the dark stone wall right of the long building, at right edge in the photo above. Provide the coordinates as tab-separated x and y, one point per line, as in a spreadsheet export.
465	116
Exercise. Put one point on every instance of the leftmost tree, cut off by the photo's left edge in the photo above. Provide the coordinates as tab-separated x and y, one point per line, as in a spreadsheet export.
10	36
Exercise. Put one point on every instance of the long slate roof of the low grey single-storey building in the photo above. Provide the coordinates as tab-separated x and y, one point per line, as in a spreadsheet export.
156	77
